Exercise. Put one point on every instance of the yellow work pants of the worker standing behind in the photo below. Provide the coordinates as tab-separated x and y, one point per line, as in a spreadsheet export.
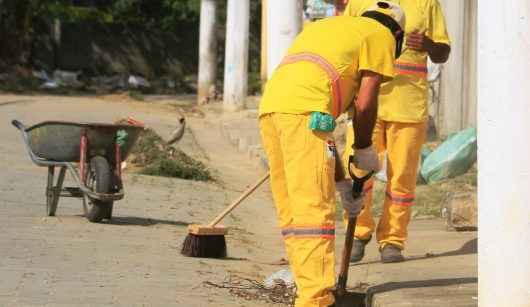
402	143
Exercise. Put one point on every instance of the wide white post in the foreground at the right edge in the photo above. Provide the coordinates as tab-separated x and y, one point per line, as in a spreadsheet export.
504	153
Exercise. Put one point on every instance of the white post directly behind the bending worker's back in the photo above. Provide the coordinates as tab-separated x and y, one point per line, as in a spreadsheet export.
284	22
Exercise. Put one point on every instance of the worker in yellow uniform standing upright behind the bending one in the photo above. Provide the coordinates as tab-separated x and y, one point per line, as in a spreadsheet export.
401	125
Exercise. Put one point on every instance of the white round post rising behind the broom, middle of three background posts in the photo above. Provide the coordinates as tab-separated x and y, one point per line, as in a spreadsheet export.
236	54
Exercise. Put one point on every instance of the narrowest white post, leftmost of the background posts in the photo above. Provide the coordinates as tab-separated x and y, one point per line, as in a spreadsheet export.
207	51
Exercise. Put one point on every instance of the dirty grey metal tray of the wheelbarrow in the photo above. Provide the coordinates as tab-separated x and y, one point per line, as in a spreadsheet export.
60	141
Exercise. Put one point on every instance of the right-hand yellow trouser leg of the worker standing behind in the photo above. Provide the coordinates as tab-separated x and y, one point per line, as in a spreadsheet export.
404	142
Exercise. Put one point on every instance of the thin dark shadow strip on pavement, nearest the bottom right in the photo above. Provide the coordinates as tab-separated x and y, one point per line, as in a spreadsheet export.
392	286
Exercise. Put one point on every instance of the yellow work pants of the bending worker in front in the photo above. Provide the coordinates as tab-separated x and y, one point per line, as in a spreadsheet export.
302	167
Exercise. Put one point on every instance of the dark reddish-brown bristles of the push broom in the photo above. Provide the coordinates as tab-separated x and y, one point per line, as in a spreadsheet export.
205	246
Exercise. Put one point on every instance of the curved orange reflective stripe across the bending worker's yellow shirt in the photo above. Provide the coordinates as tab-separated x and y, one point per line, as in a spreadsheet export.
332	73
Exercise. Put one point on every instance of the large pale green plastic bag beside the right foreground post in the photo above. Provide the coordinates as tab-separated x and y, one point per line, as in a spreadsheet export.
452	158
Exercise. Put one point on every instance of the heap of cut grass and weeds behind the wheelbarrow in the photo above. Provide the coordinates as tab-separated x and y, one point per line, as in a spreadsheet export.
153	157
